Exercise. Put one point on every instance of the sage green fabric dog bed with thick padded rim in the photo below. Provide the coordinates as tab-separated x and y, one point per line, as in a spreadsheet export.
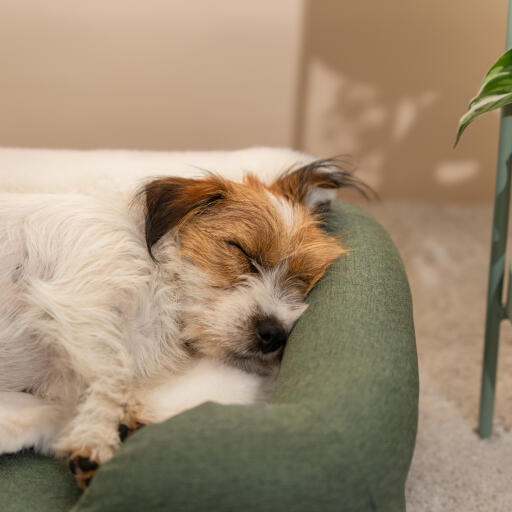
338	434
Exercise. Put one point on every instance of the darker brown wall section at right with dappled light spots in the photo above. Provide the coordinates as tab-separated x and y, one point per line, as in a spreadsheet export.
401	74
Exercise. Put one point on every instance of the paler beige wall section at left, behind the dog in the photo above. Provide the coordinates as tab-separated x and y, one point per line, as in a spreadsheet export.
161	74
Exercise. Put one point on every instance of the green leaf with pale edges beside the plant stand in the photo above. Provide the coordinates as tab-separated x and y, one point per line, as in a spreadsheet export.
495	92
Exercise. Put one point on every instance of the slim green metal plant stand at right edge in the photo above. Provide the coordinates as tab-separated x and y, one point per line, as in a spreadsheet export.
497	308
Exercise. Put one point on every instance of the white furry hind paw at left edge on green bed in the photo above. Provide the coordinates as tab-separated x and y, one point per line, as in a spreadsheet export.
27	421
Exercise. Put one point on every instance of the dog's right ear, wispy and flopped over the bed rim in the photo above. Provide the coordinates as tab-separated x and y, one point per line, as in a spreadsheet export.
315	184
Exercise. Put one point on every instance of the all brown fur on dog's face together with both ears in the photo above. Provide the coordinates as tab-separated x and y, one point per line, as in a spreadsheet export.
225	227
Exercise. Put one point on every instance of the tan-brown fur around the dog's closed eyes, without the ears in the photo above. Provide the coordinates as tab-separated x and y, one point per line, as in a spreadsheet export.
247	227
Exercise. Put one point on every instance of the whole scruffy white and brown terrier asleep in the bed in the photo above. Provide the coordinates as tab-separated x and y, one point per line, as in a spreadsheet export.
100	300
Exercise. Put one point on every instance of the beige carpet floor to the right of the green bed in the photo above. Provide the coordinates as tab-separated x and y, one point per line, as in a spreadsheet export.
446	254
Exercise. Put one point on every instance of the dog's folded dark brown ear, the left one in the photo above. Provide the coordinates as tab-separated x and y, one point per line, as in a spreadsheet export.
171	201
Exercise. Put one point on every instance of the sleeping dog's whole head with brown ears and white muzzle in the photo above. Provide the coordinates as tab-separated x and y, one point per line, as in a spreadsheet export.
262	248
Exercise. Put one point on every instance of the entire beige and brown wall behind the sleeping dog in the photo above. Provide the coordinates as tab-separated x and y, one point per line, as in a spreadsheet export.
385	81
